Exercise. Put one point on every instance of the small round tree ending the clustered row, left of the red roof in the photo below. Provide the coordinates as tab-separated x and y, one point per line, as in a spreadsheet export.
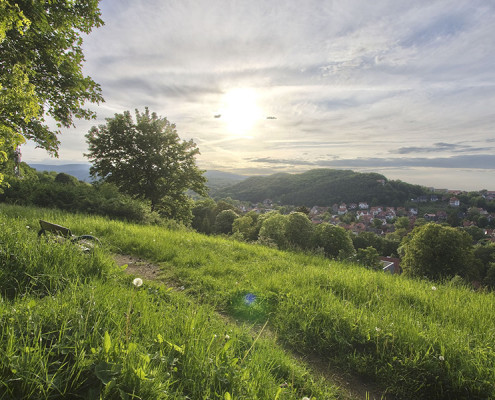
335	241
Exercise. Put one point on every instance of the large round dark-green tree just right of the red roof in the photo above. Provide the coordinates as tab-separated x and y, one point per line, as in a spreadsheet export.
437	252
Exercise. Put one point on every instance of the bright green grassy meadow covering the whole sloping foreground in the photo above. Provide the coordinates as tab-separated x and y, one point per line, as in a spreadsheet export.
74	325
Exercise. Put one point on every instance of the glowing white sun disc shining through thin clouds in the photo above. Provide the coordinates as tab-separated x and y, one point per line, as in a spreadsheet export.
241	111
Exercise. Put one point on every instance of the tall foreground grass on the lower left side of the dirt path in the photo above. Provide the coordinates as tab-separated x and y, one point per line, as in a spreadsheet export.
88	332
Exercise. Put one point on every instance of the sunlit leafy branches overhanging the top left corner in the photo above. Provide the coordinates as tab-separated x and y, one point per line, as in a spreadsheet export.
41	69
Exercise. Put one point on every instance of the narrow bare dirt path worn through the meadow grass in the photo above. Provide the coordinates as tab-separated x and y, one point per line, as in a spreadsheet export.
352	386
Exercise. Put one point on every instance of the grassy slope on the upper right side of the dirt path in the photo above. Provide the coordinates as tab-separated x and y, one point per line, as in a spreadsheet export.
417	341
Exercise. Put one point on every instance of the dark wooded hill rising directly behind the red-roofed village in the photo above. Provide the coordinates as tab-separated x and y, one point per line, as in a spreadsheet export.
322	187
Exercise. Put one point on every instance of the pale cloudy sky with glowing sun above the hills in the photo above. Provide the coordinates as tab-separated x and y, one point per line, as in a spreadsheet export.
402	88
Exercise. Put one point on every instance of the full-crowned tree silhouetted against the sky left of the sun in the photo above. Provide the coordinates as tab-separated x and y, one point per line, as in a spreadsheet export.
146	160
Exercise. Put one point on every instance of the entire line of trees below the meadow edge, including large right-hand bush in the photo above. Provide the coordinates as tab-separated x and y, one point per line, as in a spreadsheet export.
430	250
